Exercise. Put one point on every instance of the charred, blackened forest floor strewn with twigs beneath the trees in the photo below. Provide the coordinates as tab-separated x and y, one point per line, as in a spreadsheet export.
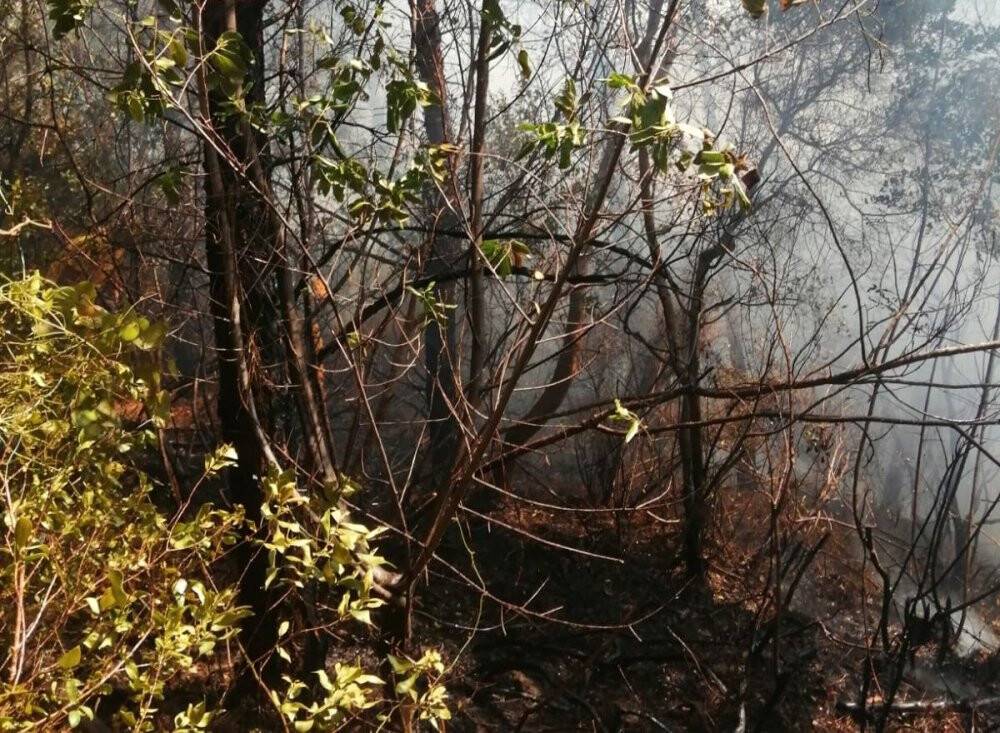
591	643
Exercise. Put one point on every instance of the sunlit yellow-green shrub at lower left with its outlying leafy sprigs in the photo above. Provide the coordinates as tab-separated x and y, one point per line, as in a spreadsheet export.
100	592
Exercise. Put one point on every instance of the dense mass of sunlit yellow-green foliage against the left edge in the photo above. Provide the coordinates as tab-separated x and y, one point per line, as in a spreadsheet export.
100	591
